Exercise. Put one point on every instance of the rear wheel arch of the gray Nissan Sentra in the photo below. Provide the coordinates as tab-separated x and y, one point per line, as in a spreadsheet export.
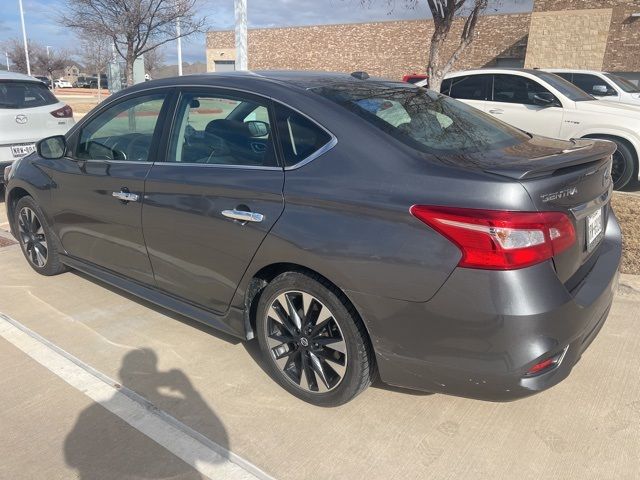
267	273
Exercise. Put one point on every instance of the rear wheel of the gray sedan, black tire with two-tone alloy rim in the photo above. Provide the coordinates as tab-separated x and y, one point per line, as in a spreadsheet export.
316	346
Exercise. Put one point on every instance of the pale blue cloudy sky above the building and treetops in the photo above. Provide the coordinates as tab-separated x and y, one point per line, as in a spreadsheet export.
41	26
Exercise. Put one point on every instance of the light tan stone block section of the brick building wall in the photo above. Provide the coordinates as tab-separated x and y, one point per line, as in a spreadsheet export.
568	39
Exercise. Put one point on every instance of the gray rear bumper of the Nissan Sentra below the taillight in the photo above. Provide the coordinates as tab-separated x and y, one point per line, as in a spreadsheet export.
480	334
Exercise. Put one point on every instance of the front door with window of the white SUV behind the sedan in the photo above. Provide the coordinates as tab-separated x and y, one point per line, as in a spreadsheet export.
513	102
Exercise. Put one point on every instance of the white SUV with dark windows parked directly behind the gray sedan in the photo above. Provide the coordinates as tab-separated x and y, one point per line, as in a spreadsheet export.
542	103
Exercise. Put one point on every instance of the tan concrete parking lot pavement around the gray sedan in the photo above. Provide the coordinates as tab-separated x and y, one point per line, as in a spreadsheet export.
588	427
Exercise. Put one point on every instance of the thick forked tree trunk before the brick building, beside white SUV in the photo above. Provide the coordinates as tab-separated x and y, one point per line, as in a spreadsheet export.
445	48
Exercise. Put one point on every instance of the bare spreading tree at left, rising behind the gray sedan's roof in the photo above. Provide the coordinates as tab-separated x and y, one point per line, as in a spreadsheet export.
134	27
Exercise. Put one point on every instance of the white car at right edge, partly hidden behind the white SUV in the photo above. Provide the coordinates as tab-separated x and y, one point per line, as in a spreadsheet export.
602	85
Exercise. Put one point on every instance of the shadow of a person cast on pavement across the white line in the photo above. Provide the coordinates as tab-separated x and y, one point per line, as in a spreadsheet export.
103	446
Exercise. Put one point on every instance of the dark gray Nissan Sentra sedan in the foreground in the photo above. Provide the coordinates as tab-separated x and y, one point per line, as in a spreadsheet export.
356	227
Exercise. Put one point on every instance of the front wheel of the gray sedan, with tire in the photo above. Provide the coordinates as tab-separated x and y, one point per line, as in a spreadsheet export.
39	244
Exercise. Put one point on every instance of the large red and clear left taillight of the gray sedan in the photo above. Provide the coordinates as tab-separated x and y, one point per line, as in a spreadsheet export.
500	240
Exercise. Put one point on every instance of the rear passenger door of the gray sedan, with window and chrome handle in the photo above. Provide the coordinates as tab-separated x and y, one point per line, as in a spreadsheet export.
211	202
